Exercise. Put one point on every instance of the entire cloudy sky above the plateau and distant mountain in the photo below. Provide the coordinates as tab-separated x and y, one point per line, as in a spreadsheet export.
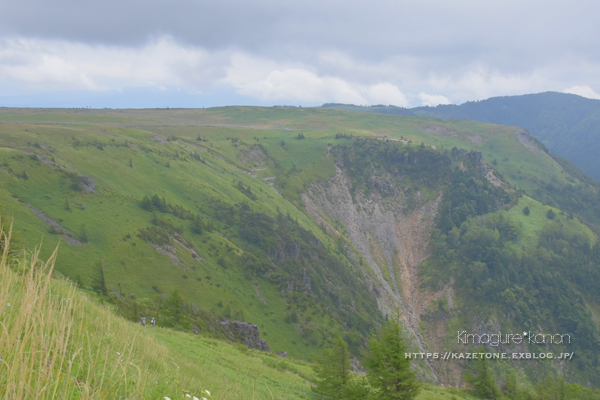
198	53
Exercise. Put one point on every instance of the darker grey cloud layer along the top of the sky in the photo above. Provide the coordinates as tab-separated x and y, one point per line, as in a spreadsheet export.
373	30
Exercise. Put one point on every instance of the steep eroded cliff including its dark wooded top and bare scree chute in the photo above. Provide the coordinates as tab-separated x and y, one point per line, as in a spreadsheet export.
384	199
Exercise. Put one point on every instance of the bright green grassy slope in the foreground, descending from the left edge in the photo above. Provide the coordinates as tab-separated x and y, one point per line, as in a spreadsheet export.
57	343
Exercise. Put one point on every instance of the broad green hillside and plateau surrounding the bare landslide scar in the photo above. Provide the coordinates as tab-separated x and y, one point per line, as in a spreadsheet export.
198	216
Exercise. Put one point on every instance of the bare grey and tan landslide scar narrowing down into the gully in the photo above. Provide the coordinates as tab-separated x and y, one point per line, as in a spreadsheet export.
391	238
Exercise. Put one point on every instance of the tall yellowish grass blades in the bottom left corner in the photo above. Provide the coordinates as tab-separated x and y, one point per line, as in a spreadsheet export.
51	342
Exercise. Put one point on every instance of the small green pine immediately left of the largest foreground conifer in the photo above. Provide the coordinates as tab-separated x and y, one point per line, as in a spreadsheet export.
333	370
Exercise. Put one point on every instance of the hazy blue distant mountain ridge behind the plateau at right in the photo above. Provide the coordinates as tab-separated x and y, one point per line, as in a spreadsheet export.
569	125
